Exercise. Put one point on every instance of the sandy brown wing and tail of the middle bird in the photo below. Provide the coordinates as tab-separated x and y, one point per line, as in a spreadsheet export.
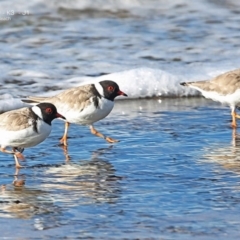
74	98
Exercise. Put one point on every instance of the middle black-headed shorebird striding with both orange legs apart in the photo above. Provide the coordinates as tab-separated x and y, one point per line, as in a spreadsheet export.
84	105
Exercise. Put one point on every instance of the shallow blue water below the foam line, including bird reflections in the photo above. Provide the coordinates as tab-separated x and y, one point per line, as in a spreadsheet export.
173	175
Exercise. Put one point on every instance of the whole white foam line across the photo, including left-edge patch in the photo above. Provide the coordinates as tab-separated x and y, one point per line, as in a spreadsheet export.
136	83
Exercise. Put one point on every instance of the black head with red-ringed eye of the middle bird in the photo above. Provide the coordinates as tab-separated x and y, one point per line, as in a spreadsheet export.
111	90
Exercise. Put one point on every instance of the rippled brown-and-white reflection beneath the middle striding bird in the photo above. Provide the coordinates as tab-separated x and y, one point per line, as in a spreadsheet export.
93	179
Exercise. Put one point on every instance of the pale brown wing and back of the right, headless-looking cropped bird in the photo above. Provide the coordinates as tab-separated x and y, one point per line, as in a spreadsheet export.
225	83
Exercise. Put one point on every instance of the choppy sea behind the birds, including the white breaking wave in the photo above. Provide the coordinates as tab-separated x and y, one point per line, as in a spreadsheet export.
175	47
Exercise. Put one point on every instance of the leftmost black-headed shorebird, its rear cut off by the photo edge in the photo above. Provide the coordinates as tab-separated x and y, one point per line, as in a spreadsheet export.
26	127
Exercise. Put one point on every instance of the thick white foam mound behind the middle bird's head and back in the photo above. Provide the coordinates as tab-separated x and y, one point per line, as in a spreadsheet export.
143	82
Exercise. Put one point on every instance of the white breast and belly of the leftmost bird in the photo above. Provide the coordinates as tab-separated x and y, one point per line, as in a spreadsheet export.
26	137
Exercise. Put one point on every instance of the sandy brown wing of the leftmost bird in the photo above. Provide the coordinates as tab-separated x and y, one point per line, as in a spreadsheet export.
16	119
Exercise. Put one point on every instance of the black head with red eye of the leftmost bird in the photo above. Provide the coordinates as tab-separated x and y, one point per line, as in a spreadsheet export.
49	112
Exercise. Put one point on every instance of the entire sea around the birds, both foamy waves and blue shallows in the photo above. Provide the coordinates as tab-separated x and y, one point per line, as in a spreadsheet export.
175	172
